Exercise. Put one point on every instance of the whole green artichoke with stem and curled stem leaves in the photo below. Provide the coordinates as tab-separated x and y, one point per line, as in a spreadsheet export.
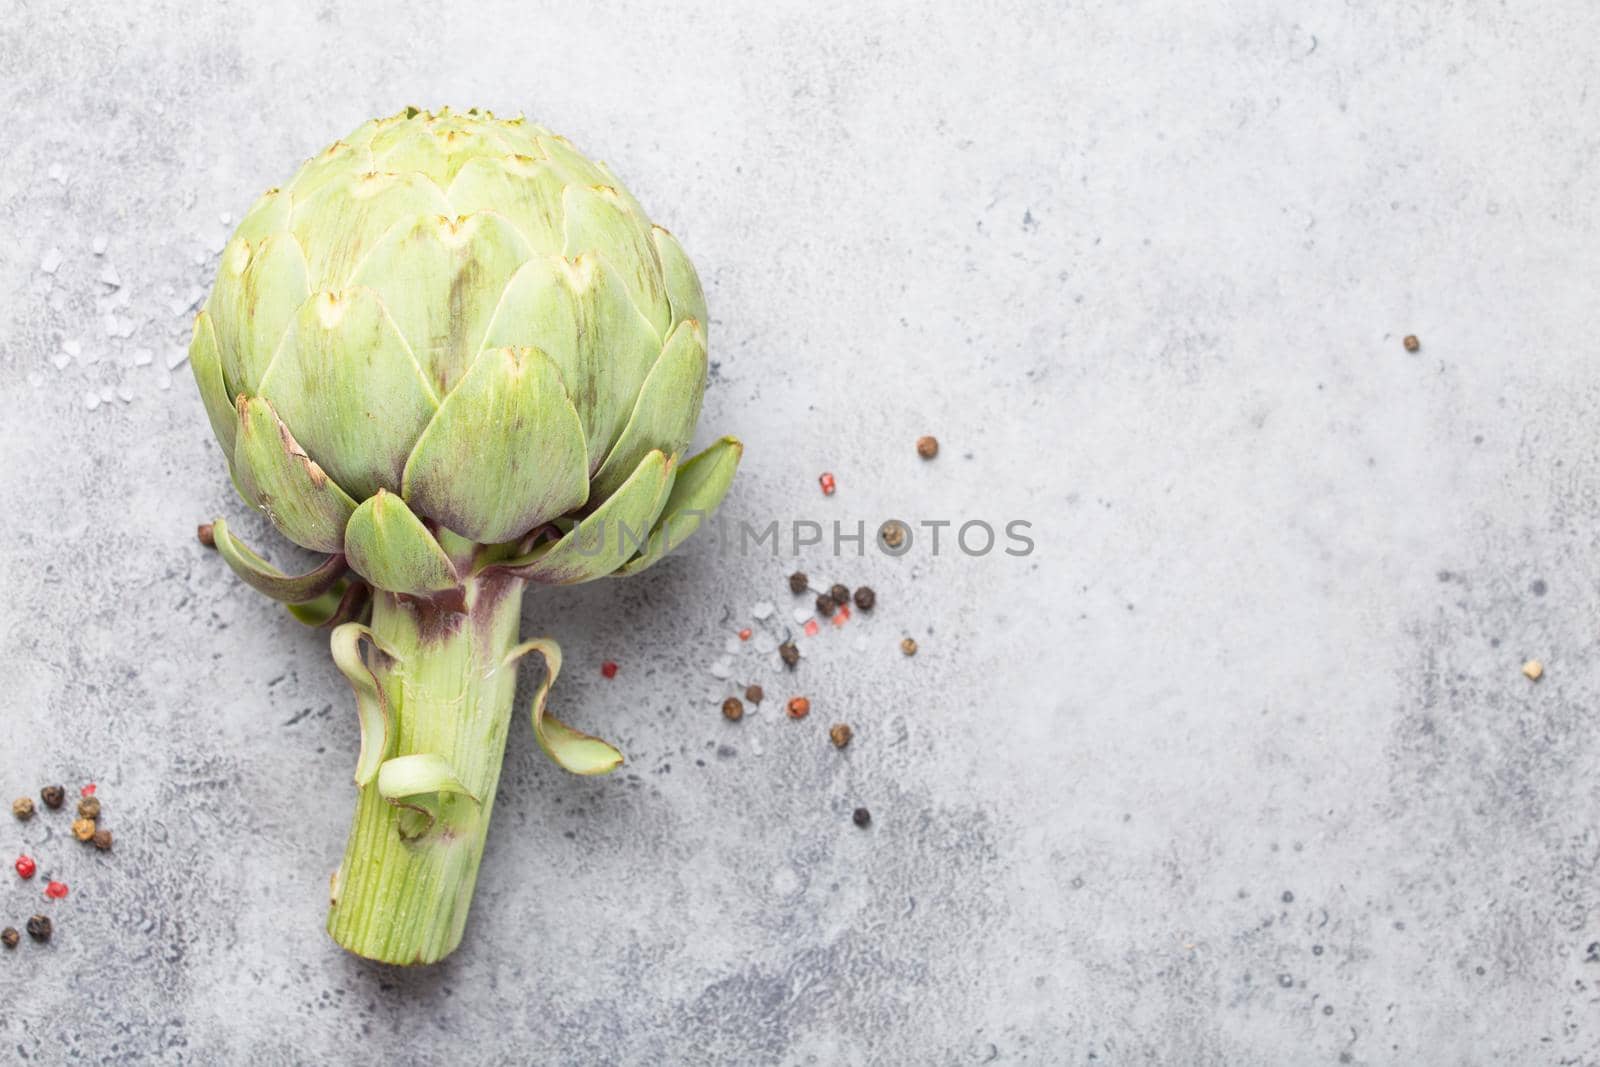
454	358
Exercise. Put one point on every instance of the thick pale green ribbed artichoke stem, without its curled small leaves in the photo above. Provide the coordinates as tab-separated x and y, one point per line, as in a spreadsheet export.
449	690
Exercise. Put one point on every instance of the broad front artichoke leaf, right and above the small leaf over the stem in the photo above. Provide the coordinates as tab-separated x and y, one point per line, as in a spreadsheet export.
505	454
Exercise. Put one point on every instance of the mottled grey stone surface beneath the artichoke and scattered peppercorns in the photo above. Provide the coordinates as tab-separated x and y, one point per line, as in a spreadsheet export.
1238	769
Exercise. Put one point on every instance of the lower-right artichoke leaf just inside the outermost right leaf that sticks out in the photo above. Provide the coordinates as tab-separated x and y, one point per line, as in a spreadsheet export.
609	537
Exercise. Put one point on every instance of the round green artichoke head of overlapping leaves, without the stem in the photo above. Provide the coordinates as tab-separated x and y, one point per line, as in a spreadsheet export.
457	330
